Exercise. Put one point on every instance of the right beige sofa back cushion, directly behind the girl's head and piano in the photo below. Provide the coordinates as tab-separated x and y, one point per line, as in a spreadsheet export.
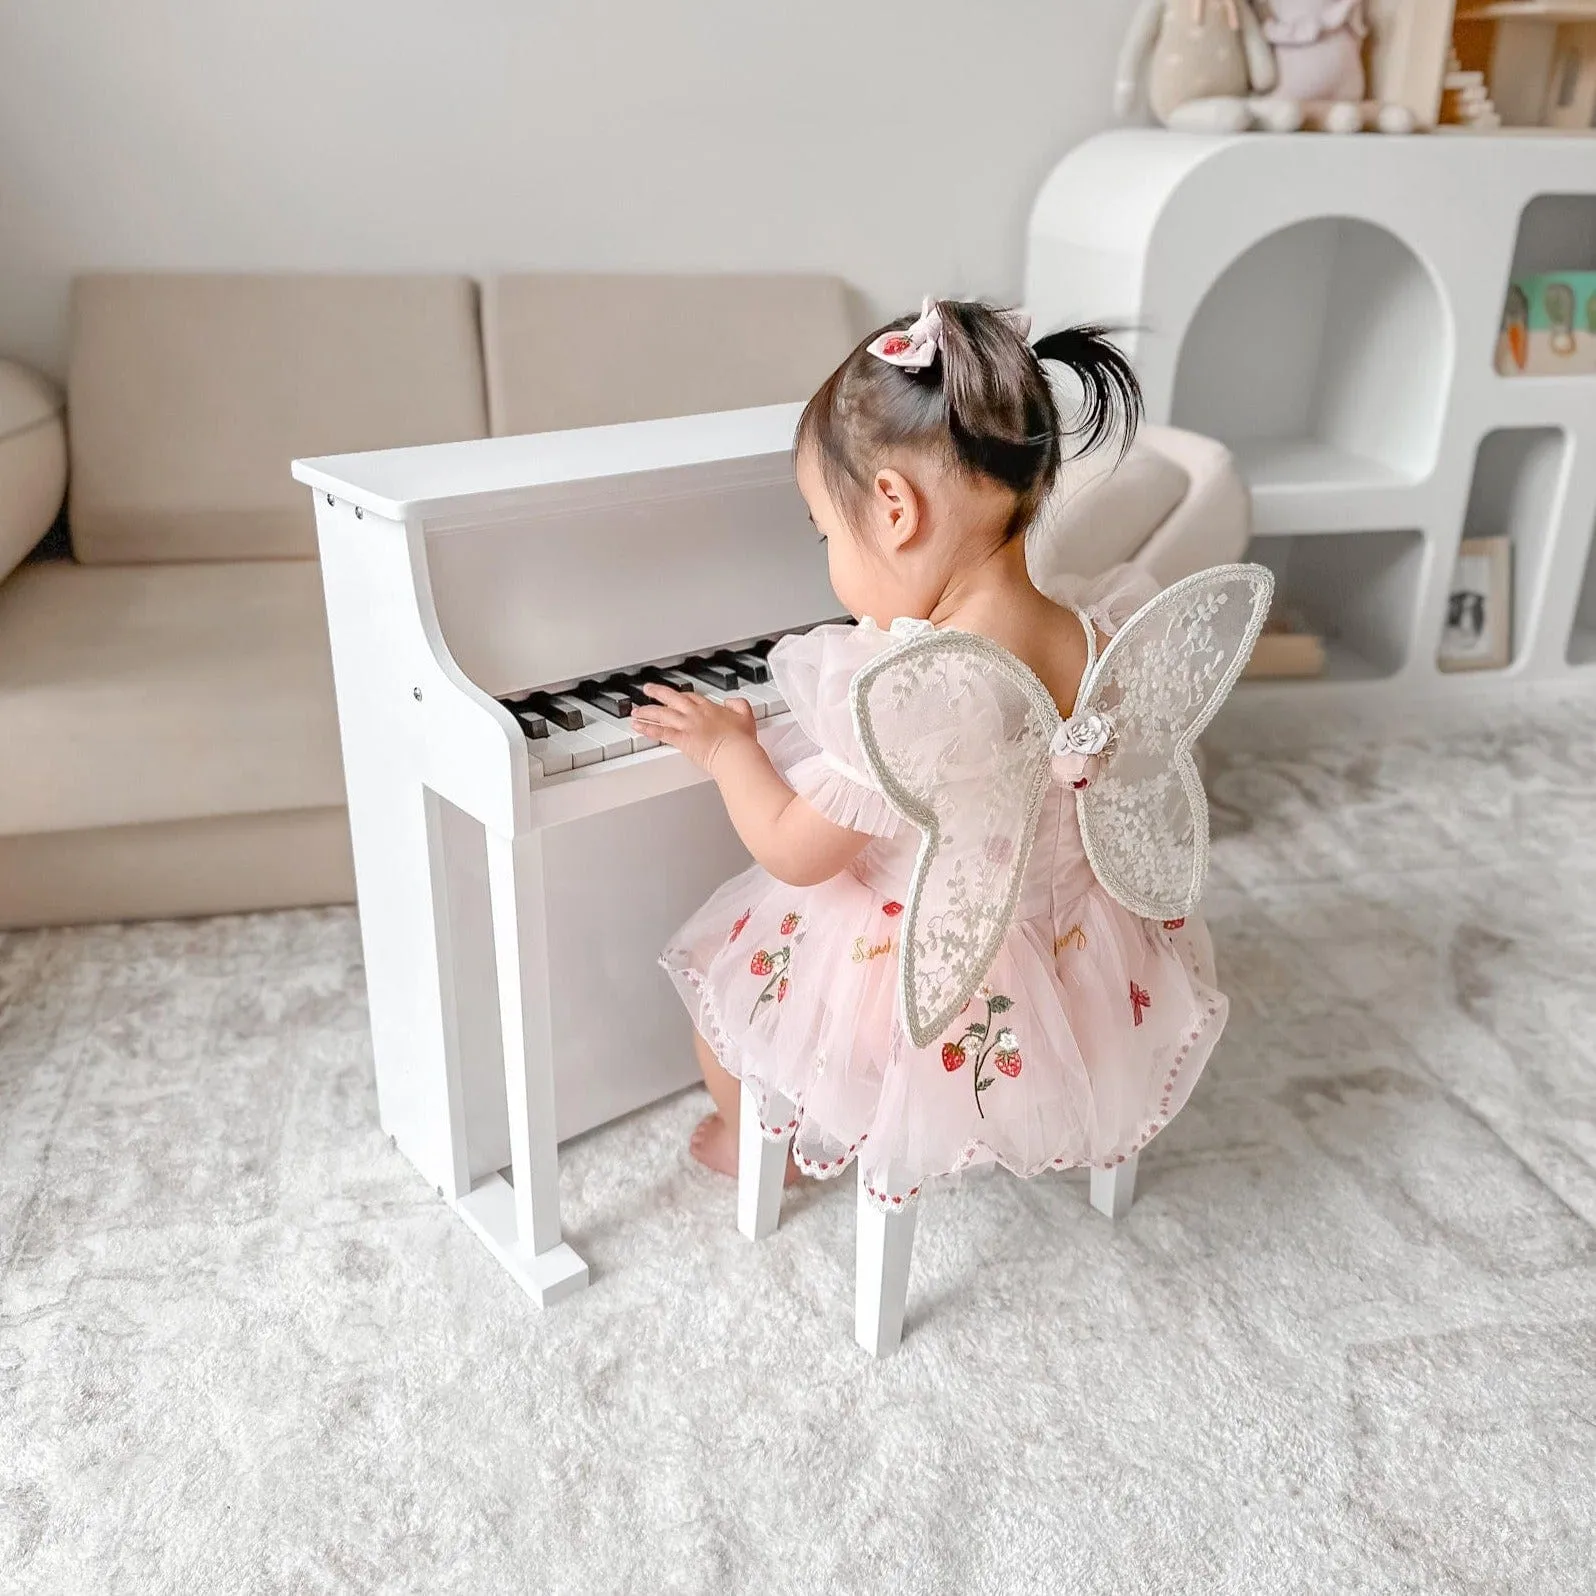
588	350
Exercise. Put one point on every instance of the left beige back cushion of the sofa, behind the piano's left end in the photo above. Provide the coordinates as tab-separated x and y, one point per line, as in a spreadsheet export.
191	397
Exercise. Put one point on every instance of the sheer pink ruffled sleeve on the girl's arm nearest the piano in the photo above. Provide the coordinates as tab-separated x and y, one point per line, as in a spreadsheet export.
820	754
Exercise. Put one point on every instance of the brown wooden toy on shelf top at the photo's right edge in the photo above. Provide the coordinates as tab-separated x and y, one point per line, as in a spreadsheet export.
1536	61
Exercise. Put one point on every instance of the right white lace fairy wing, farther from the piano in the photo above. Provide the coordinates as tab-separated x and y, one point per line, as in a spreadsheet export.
1159	682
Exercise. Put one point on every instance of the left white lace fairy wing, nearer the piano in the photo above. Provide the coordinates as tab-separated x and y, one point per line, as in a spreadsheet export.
957	733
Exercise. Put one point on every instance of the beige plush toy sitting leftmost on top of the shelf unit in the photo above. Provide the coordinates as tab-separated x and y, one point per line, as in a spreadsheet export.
1211	68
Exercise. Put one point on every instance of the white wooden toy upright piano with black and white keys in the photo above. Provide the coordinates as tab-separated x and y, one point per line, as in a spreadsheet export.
521	856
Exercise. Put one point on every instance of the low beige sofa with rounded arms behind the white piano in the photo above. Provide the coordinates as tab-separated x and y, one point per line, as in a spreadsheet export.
167	719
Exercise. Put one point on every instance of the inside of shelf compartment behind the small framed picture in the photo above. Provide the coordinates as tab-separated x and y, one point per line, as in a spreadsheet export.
1517	494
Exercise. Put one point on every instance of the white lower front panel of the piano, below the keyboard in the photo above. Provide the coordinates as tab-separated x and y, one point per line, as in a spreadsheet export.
618	885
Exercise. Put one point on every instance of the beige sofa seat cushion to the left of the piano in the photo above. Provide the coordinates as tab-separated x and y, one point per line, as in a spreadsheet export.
162	693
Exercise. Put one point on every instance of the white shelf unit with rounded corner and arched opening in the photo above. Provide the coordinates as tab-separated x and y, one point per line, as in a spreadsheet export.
1329	307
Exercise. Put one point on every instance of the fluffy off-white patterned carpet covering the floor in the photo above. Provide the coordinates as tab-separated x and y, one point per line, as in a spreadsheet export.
1345	1343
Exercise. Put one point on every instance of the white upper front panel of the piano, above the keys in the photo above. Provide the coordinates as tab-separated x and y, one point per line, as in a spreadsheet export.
623	580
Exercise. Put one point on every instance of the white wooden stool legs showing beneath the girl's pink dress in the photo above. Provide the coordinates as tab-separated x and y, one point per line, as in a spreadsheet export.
885	1238
